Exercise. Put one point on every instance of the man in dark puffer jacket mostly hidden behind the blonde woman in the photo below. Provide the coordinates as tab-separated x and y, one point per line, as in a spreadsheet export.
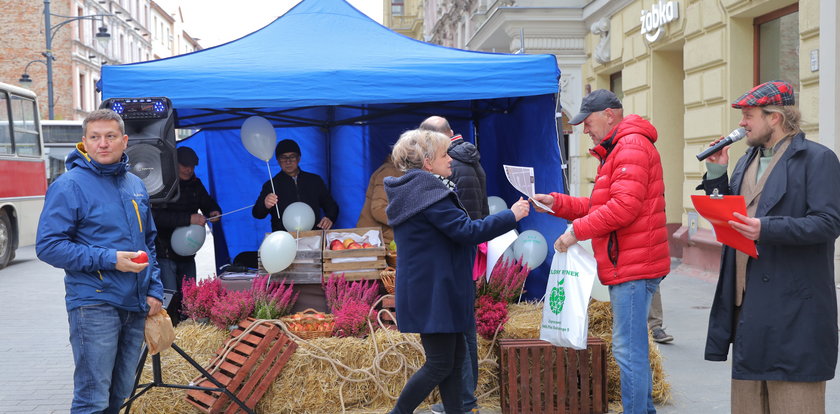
471	187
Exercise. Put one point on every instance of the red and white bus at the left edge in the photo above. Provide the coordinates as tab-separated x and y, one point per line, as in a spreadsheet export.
23	172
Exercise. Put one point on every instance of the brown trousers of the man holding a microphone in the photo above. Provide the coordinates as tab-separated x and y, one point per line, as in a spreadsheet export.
777	397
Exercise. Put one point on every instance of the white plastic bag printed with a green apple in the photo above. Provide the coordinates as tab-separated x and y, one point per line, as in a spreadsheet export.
565	319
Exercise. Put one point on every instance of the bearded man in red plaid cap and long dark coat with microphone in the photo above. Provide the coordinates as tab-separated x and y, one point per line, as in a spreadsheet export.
777	311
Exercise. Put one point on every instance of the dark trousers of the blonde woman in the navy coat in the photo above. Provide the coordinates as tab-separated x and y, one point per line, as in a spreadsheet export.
444	360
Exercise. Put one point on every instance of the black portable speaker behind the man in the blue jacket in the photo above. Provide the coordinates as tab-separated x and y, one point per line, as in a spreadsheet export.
150	126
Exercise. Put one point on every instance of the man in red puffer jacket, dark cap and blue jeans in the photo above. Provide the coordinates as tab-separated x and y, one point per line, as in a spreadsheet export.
625	218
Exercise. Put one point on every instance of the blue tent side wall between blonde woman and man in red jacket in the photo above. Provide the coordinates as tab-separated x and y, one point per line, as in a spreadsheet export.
525	136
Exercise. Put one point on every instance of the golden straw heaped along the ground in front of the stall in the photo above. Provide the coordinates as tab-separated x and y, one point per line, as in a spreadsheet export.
366	375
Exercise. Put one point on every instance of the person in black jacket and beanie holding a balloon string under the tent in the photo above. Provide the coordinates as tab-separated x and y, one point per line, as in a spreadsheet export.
294	185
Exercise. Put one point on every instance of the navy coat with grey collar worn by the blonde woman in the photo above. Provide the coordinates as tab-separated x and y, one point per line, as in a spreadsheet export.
435	243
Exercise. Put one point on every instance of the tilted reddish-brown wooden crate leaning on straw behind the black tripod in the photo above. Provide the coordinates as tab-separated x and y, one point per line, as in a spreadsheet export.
247	371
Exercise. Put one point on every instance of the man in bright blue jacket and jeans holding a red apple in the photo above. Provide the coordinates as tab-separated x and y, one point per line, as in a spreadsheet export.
96	219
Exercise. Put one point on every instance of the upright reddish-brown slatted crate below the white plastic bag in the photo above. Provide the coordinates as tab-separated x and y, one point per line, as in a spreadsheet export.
538	377
